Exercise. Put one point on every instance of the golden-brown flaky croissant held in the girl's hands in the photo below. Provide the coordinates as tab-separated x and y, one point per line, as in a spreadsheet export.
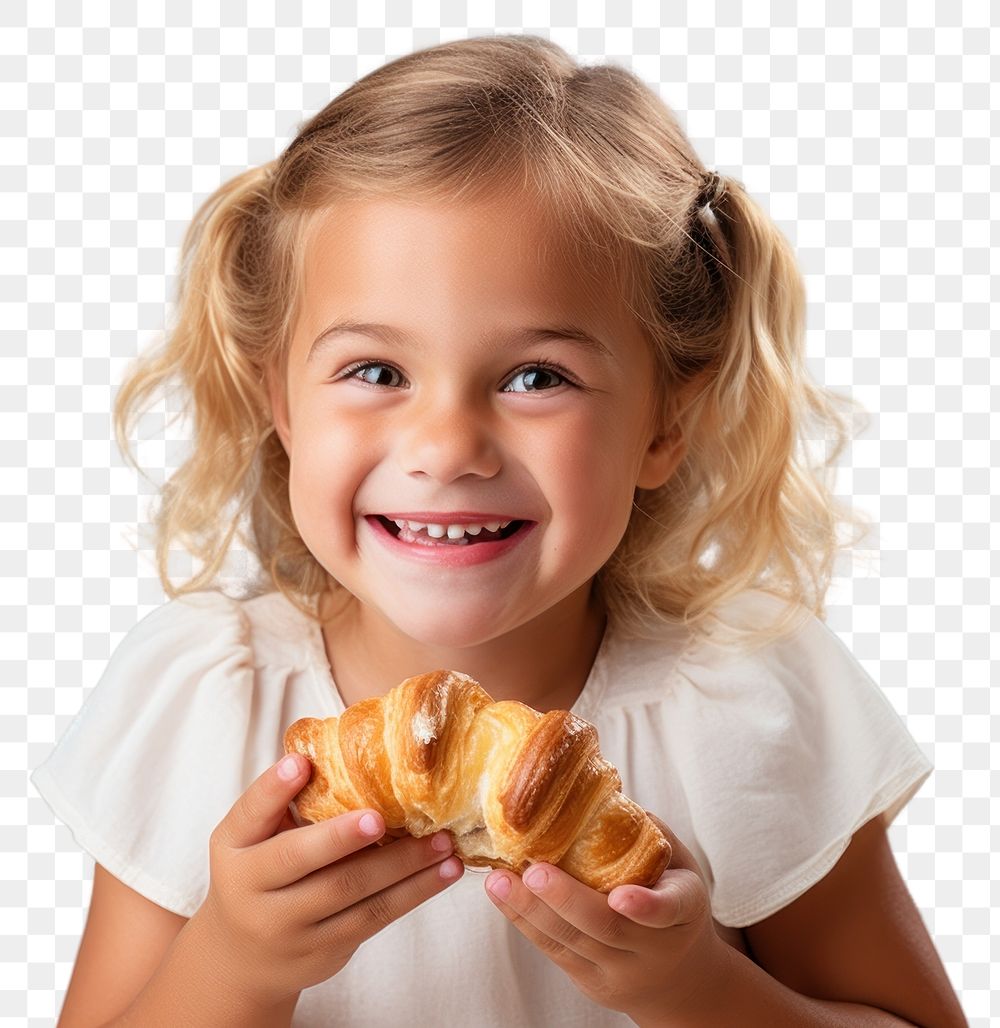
511	785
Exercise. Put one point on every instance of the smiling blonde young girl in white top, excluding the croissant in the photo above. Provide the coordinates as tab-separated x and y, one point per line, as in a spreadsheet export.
492	375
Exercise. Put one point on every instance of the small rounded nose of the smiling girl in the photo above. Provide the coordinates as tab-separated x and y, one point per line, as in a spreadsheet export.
446	438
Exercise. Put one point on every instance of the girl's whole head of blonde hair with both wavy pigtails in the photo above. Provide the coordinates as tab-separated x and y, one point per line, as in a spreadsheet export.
710	277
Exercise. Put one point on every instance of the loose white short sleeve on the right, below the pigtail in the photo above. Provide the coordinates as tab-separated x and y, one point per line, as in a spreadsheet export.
795	749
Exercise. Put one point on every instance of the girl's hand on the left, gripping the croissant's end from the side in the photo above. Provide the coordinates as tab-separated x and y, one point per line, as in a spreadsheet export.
287	907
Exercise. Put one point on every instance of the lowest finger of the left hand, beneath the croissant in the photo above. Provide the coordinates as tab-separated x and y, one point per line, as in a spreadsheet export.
371	915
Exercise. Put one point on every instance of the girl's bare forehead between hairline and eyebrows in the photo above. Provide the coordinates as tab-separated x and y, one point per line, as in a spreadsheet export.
501	258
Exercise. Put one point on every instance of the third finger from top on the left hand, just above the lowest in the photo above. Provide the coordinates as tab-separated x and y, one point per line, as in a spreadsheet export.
365	874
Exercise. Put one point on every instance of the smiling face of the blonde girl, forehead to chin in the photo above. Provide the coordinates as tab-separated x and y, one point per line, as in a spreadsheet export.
464	415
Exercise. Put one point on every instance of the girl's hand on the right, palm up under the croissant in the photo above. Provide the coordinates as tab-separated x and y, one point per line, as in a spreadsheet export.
650	953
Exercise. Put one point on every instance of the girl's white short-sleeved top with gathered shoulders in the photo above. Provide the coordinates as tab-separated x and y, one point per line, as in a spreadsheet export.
764	764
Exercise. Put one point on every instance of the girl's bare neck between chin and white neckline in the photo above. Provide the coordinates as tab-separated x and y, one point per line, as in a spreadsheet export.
544	664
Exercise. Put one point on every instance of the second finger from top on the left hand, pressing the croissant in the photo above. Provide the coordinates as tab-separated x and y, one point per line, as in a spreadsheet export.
292	856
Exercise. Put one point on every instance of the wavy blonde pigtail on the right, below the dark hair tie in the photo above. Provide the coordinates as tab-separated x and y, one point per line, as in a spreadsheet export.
751	506
